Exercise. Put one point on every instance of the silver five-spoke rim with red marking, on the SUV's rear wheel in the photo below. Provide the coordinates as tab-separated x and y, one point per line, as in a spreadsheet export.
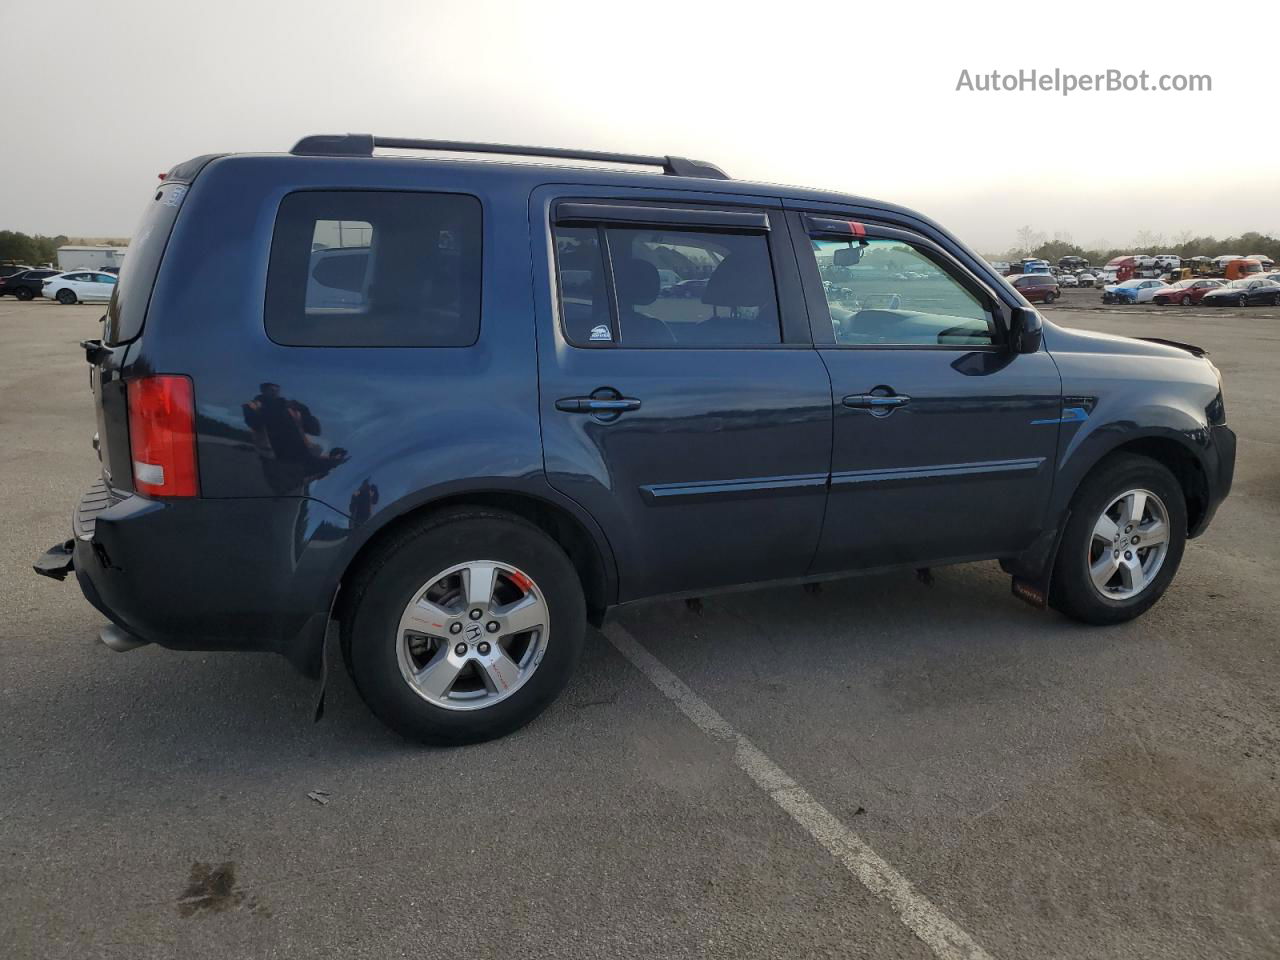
473	636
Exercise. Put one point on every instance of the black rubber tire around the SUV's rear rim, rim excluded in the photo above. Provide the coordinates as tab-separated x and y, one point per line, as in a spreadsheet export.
409	560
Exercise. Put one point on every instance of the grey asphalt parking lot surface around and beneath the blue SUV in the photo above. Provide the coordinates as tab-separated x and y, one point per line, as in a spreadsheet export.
1050	790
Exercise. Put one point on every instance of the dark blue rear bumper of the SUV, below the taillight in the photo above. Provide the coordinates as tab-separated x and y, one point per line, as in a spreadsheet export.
209	574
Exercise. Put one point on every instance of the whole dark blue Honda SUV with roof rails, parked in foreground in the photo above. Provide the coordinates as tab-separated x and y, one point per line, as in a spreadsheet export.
465	408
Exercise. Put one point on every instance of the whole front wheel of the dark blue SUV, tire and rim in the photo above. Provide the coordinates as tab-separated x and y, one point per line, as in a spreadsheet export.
1123	542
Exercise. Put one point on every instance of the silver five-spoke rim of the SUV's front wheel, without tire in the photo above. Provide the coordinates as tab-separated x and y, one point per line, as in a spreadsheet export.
1130	543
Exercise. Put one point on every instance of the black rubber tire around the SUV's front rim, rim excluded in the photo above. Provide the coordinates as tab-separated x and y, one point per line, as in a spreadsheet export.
1072	591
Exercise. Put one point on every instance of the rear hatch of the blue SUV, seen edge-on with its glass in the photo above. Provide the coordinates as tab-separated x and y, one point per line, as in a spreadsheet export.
124	324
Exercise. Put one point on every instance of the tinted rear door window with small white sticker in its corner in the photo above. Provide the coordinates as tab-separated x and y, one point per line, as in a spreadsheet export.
671	287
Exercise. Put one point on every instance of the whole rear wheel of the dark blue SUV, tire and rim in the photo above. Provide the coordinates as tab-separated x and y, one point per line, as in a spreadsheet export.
464	628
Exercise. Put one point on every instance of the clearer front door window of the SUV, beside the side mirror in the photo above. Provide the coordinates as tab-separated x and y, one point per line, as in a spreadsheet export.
889	292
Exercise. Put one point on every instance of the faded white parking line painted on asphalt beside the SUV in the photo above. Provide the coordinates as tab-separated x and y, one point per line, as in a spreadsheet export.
941	935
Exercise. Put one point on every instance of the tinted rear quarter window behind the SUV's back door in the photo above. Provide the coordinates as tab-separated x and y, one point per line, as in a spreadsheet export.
376	269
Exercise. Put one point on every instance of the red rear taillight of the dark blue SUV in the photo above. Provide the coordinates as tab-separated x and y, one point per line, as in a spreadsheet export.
163	436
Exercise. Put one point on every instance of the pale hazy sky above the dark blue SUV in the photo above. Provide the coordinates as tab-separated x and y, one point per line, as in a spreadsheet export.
857	97
